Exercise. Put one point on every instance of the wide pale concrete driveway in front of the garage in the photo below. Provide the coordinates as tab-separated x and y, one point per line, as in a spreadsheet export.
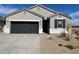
19	43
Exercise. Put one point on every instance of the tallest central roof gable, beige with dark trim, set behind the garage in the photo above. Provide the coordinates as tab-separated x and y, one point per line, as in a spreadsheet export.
42	10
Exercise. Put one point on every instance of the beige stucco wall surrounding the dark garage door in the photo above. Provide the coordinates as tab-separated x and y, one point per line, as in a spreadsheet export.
21	16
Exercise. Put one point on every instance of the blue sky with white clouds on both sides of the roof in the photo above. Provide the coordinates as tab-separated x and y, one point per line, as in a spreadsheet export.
70	9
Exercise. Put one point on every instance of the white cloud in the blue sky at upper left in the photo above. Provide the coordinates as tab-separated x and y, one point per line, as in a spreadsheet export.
6	9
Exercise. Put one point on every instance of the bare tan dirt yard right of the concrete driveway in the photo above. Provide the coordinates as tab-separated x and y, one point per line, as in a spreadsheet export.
49	44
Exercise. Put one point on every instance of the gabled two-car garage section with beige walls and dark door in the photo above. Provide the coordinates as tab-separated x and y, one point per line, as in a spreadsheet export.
24	21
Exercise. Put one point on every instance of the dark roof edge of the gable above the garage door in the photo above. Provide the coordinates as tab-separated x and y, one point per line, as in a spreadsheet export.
15	12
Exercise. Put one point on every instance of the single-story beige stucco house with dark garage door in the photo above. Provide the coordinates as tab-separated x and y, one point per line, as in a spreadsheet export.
36	19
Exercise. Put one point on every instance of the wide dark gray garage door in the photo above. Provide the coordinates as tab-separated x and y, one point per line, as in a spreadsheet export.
24	27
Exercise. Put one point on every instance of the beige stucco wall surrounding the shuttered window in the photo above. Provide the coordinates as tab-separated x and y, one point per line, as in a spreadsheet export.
52	24
